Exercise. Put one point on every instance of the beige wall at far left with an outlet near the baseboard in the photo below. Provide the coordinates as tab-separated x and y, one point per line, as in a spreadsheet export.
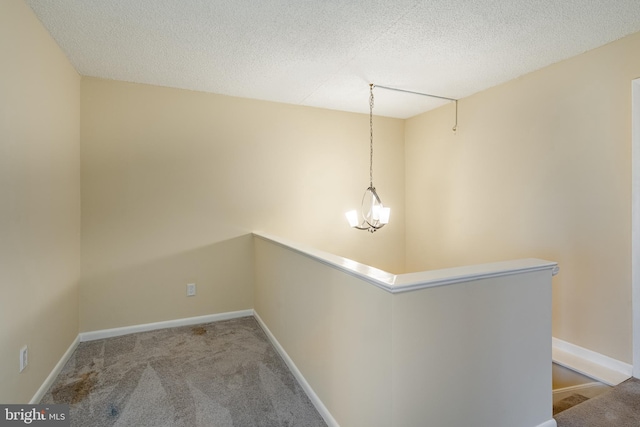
39	201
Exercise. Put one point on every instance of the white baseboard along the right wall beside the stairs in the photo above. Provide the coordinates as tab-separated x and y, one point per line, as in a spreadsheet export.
595	365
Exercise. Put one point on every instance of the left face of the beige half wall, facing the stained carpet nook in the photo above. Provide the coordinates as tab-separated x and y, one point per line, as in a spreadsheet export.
335	327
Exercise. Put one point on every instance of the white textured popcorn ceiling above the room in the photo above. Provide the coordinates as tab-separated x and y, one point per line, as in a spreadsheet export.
324	53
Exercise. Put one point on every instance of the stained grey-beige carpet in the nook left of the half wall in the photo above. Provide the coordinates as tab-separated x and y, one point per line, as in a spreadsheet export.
218	374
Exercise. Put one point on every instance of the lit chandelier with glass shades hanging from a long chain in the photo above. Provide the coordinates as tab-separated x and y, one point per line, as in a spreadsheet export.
373	214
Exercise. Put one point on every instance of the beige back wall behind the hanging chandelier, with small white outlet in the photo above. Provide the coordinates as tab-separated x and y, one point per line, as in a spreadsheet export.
173	180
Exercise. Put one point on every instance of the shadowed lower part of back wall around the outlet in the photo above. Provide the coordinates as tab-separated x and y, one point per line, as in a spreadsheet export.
156	290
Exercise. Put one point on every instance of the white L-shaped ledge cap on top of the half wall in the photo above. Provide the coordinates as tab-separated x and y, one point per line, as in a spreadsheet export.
396	283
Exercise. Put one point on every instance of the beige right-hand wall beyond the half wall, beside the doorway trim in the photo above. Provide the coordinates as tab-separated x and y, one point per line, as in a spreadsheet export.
541	167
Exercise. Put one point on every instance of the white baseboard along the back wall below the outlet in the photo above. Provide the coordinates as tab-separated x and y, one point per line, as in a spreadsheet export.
126	330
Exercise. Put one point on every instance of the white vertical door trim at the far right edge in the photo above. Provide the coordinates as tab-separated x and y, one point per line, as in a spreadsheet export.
635	223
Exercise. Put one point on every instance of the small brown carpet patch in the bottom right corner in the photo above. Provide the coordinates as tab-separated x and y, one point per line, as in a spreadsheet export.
619	407
